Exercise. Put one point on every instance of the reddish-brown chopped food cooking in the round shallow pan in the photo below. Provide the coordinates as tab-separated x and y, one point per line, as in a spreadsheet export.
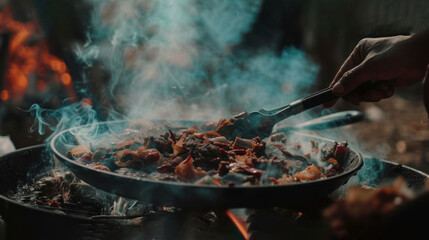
202	155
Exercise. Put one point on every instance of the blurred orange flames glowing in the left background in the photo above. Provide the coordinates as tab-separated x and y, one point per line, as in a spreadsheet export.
26	62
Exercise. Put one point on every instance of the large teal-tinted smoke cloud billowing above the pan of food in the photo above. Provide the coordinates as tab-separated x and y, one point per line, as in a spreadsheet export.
179	60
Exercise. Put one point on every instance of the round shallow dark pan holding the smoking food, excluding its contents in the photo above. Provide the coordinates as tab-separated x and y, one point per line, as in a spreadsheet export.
187	194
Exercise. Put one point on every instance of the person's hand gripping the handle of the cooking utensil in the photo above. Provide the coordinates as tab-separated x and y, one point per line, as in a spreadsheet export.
379	65
